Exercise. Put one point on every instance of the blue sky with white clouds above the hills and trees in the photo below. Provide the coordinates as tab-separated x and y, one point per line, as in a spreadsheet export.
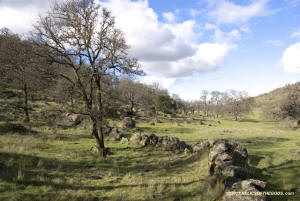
192	45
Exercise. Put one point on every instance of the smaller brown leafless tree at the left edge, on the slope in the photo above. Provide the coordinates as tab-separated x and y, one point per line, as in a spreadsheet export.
21	67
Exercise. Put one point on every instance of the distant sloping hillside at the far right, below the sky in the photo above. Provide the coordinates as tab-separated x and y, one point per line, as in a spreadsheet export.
268	104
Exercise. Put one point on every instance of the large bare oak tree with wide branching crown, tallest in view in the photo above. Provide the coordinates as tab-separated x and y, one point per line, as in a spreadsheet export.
85	40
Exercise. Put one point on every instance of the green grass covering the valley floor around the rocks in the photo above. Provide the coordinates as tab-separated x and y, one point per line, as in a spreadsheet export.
50	163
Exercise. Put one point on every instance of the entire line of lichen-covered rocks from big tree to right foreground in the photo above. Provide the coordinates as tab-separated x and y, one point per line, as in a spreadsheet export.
227	161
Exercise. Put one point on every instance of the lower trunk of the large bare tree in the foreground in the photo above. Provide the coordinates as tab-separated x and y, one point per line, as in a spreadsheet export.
98	134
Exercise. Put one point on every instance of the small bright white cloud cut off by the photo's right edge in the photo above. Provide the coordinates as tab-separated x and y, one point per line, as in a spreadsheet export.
290	58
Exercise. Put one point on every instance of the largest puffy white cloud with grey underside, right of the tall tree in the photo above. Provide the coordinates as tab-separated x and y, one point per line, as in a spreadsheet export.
165	49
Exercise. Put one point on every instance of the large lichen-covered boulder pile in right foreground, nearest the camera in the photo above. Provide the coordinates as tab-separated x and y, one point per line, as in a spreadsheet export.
228	161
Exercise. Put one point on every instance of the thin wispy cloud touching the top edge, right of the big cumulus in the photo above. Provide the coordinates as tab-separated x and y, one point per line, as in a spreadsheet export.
228	12
